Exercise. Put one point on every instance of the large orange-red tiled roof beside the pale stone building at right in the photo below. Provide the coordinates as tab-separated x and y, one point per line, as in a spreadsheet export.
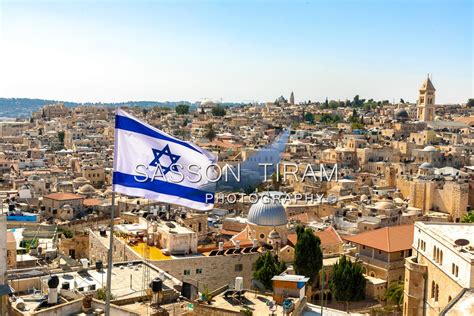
388	239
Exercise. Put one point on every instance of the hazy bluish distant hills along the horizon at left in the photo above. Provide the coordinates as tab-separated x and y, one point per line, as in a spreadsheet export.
23	107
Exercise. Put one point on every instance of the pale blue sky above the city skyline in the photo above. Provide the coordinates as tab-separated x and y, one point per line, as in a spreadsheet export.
235	50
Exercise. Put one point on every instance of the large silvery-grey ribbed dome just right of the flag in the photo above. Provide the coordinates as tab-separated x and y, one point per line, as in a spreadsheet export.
267	212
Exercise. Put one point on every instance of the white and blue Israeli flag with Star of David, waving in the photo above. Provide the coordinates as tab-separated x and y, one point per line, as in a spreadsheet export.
151	164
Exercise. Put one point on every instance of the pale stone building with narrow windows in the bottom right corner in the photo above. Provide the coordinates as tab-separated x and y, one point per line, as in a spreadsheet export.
441	270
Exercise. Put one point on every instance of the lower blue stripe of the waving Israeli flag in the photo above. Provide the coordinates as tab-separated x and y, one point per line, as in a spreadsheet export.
162	187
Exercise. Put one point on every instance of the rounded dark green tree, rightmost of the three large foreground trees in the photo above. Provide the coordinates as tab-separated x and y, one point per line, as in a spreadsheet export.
347	281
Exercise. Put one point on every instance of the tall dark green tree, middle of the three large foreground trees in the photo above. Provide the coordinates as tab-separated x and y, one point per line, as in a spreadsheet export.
308	255
